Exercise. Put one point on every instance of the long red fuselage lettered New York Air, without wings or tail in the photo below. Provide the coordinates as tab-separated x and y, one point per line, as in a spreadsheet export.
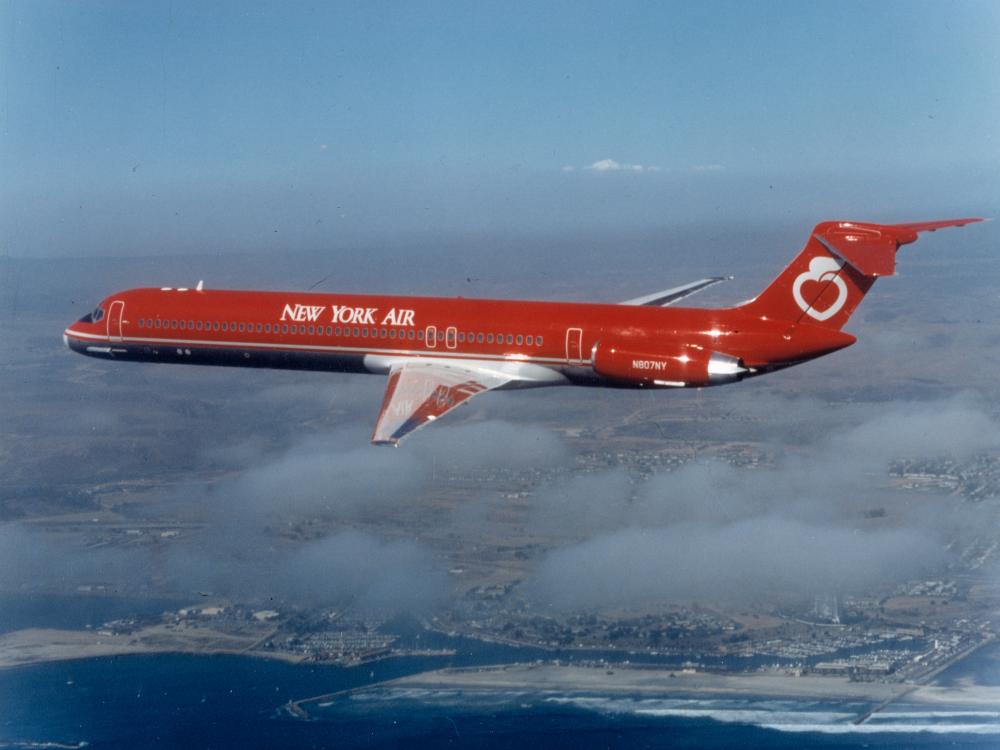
585	343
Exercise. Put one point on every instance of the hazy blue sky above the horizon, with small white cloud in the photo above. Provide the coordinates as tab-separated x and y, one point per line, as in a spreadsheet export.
141	128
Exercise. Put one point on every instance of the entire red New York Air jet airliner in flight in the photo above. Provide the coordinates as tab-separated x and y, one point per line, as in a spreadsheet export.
440	352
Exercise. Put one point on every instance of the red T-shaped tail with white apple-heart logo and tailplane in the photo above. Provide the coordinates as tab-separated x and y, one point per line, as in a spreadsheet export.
836	268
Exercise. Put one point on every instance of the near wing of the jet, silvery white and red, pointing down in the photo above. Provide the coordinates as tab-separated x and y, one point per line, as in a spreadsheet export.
419	393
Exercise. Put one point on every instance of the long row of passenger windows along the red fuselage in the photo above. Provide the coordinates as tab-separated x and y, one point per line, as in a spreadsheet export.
433	334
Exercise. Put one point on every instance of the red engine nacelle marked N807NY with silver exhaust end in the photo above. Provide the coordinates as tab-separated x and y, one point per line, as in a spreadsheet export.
686	367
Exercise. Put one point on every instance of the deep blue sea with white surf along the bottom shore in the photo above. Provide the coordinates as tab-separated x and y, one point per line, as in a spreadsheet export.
185	701
